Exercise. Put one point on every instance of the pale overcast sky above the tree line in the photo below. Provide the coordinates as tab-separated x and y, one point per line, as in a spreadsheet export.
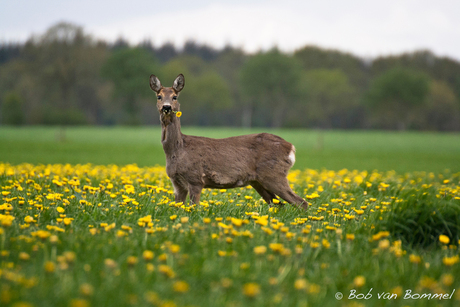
363	27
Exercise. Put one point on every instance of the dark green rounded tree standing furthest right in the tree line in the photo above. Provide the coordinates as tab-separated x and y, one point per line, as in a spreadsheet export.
395	96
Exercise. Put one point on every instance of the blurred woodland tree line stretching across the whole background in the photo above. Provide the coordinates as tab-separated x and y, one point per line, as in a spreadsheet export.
66	77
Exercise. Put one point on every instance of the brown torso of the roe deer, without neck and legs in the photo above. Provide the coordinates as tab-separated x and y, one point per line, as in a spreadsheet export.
232	161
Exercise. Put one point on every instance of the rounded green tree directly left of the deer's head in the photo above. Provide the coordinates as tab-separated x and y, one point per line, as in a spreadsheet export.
129	70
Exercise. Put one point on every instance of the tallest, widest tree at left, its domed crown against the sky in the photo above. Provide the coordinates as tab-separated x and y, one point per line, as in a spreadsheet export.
57	75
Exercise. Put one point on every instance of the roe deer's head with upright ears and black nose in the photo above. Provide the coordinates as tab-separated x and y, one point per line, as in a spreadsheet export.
167	102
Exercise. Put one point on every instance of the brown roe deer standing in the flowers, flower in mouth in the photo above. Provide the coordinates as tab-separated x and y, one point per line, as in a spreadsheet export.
193	163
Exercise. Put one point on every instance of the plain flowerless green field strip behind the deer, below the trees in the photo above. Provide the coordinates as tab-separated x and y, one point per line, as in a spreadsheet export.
361	150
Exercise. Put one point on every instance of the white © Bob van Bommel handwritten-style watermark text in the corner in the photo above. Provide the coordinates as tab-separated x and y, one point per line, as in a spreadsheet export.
408	295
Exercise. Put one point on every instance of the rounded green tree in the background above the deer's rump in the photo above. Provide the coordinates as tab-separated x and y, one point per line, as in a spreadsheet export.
270	83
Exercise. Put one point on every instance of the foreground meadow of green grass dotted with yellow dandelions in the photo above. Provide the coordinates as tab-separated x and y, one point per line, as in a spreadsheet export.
86	235
